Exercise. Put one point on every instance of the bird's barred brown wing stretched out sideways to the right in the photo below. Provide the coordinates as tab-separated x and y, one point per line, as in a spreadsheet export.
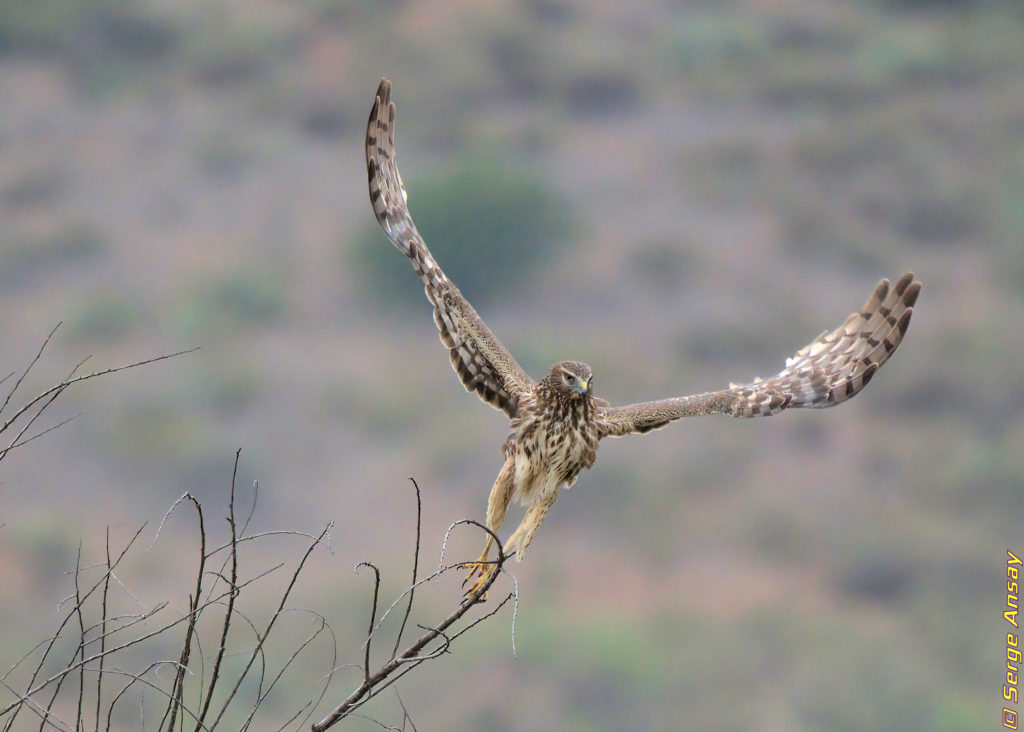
830	370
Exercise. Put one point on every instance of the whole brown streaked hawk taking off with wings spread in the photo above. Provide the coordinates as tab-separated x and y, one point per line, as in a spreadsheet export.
558	422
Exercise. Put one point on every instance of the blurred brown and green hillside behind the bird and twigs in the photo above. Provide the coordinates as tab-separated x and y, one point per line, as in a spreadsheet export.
680	195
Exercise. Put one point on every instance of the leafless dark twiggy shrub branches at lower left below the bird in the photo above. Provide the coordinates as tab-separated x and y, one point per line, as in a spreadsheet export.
211	666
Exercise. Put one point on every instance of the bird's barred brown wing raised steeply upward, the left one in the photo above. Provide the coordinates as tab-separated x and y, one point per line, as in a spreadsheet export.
484	365
